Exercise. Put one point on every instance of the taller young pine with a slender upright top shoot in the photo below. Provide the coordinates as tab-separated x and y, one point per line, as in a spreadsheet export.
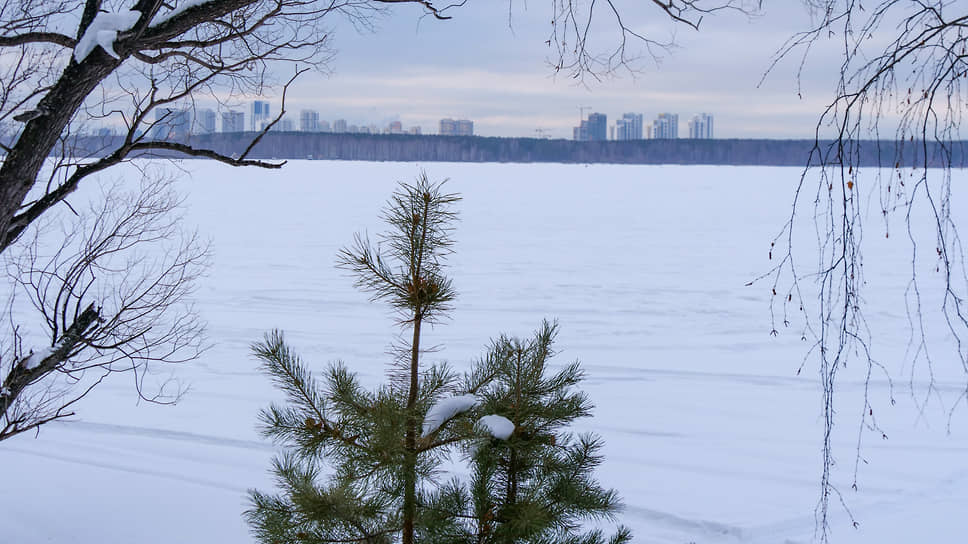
371	442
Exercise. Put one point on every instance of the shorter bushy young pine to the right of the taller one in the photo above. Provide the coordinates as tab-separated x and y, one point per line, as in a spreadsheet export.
531	480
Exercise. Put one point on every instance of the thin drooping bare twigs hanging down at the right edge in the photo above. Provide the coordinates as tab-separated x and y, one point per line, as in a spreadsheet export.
911	87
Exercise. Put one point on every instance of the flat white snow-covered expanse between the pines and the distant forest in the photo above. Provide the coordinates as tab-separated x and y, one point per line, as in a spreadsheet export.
711	436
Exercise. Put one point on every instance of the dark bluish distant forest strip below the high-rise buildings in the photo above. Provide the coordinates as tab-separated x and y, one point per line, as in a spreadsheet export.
403	147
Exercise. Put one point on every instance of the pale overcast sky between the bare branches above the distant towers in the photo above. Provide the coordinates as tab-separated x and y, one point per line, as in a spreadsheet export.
418	70
